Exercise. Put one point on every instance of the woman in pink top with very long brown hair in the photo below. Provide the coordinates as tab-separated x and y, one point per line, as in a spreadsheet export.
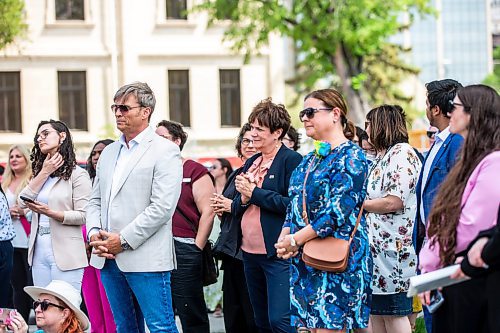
466	203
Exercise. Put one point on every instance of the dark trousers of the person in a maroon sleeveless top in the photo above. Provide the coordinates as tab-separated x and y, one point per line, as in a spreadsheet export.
187	289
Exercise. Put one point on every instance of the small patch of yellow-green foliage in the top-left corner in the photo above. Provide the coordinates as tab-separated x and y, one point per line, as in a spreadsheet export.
12	22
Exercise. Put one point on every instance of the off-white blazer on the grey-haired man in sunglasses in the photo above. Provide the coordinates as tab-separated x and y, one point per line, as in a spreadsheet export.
142	204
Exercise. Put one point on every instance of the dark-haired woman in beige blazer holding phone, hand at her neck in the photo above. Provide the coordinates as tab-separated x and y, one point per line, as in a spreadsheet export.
57	195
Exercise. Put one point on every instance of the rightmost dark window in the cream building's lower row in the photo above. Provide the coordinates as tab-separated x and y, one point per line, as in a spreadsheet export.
230	106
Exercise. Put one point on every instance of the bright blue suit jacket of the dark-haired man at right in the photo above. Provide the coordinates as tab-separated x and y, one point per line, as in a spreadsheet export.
442	164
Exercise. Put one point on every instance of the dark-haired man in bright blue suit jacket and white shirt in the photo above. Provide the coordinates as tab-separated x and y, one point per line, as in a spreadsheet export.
440	158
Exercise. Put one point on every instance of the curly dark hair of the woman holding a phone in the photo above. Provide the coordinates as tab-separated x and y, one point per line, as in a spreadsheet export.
66	149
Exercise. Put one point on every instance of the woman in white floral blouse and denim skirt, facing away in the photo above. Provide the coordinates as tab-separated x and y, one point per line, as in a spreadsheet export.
391	207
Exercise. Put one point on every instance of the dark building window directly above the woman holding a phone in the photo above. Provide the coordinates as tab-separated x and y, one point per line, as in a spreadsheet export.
73	99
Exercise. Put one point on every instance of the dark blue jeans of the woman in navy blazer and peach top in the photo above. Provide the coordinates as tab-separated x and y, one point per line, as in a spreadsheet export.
269	290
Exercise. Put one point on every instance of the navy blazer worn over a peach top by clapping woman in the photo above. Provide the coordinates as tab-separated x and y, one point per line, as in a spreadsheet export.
272	198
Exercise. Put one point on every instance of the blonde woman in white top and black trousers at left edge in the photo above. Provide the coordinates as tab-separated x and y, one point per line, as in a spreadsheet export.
16	177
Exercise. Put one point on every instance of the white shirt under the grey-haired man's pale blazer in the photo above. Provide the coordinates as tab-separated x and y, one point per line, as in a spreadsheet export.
124	156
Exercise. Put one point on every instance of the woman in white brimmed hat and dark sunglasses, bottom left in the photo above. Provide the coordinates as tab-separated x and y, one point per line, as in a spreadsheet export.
57	310
